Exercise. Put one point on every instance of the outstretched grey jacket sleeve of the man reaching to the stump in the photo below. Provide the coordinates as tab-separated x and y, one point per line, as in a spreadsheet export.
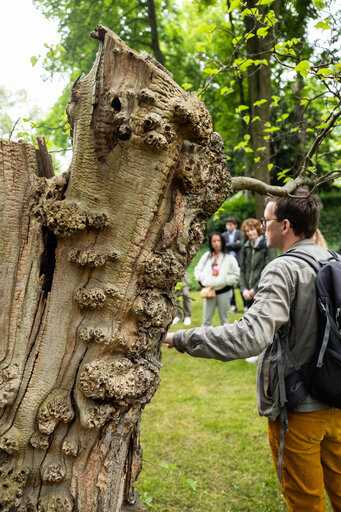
254	331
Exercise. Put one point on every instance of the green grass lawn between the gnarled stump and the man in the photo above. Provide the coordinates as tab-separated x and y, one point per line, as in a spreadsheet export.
203	421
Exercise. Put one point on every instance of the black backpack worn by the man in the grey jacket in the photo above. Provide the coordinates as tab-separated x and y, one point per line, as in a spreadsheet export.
321	377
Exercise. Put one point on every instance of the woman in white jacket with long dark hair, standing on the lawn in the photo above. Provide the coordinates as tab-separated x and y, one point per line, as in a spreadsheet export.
218	269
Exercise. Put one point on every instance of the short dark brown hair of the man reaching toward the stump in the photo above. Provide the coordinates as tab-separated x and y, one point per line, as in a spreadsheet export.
302	211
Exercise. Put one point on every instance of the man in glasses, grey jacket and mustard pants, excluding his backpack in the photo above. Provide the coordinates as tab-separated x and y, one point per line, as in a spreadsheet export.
285	303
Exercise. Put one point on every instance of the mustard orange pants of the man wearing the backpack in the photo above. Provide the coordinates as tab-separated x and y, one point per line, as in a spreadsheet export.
311	459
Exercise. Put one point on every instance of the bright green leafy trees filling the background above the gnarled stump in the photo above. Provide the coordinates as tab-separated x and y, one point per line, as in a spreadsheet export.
268	71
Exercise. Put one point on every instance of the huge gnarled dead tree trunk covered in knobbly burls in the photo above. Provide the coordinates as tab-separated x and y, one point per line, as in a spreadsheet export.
88	264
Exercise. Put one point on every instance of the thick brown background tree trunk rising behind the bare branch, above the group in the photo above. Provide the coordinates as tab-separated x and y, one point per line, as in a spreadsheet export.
259	80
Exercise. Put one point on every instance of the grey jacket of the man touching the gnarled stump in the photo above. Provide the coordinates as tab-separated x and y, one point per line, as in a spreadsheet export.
285	301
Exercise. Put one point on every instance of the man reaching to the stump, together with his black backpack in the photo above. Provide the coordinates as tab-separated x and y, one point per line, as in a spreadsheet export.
297	345
